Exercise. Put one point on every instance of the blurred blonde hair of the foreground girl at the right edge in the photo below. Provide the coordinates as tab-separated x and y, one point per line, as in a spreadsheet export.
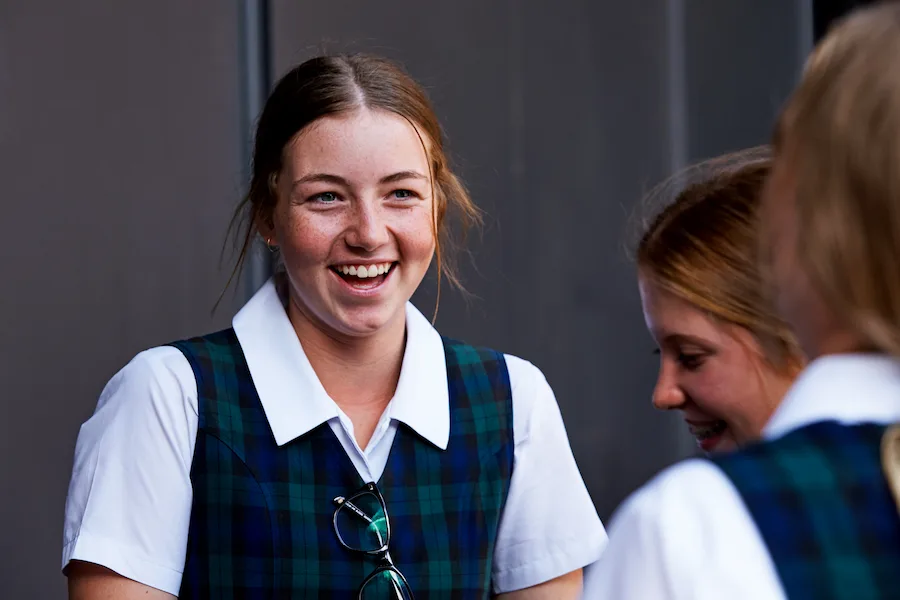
839	134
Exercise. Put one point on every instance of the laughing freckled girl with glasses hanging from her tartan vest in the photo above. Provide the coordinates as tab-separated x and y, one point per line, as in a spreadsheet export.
331	443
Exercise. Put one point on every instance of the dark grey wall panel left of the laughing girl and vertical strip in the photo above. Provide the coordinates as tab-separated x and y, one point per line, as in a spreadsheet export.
119	160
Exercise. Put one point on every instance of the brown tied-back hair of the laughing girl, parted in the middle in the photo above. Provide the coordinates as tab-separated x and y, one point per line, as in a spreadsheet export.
330	85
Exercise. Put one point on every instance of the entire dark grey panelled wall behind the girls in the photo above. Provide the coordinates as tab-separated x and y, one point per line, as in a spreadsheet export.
120	148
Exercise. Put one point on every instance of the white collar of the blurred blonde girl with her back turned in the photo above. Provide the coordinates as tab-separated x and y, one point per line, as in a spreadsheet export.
848	388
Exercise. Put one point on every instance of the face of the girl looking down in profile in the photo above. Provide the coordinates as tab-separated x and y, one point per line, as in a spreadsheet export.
714	372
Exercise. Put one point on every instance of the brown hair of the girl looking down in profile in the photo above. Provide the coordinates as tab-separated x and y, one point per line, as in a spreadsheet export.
702	247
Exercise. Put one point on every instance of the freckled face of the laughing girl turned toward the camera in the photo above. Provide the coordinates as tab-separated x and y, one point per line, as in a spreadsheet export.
354	220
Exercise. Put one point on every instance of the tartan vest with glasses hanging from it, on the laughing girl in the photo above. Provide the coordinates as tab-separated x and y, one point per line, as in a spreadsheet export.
261	521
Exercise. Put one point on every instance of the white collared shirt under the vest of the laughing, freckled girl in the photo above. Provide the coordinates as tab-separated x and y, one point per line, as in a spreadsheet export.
129	499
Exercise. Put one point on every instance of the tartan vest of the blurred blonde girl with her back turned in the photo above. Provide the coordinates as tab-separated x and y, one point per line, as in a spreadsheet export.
819	498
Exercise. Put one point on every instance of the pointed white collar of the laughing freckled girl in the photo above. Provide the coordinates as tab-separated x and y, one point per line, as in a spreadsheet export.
292	395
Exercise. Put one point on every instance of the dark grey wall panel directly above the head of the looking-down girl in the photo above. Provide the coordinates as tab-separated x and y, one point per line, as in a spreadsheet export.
742	58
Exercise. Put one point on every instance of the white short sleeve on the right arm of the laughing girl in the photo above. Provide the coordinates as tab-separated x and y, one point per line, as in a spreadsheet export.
549	525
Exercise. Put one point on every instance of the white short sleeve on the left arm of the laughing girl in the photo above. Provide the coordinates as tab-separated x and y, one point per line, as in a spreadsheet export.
129	499
